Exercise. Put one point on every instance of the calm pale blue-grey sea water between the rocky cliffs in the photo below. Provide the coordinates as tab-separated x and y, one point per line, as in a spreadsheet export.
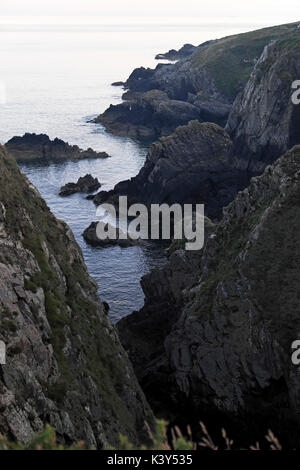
53	82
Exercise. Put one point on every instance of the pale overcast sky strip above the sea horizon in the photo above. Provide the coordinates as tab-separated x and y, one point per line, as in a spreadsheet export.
86	11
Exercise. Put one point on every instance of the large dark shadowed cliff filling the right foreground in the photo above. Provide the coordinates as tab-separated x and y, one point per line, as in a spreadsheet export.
232	313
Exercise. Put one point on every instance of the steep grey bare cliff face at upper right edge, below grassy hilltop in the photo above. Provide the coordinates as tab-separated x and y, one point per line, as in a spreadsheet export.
264	122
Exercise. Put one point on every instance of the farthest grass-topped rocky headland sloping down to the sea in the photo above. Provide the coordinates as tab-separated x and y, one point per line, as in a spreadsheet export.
205	84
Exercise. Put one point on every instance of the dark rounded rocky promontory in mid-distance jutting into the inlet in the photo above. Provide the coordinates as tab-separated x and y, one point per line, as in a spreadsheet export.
192	165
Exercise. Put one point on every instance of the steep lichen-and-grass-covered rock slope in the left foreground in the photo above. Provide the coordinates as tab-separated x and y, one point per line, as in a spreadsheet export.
65	365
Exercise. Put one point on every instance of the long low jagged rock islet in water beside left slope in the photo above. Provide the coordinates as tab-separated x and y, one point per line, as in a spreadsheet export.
33	146
